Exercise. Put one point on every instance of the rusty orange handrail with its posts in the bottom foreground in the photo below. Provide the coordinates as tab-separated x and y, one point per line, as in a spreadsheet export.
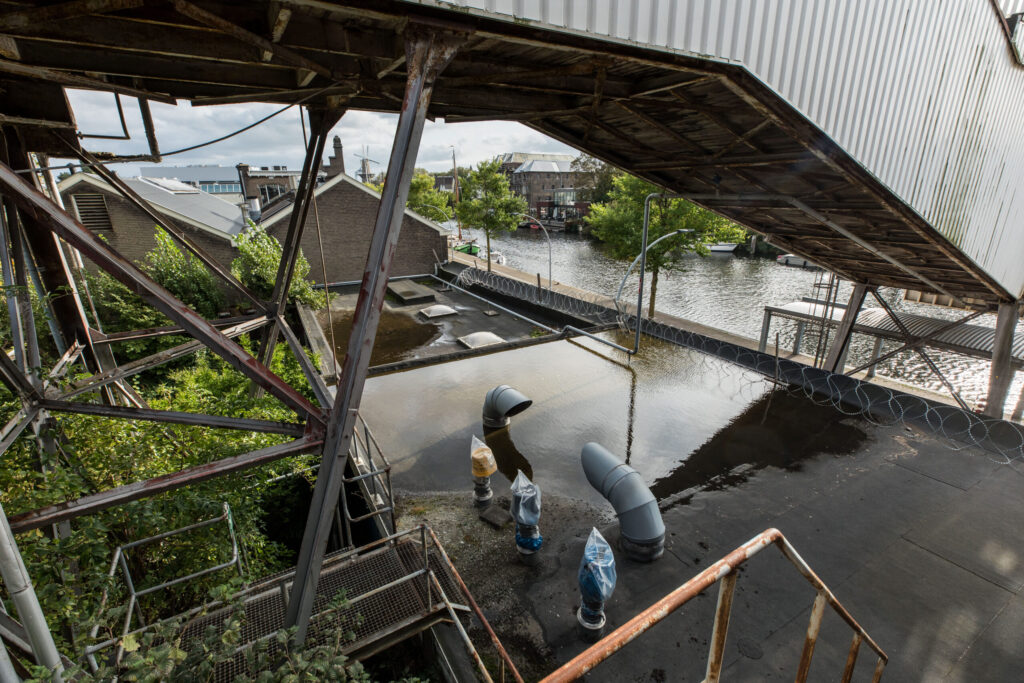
727	567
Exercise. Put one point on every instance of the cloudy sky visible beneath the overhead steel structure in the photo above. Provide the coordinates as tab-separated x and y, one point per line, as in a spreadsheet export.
279	142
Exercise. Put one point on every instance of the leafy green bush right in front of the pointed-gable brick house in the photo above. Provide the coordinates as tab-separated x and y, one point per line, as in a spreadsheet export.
257	267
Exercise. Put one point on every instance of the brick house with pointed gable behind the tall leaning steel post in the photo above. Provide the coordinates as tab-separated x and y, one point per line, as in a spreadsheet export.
348	211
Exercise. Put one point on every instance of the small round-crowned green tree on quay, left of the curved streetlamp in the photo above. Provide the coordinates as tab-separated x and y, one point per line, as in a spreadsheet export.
488	203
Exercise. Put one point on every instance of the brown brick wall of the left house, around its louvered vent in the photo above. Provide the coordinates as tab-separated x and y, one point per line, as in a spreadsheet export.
134	233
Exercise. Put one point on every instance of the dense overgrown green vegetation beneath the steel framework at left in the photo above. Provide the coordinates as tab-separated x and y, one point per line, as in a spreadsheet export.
96	454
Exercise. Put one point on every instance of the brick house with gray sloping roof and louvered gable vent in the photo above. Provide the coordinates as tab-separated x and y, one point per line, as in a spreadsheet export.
209	221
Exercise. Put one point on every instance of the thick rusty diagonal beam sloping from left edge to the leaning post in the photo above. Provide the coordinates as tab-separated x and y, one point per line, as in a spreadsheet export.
31	202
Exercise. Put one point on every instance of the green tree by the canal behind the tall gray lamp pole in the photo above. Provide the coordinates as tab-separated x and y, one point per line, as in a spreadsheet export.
619	224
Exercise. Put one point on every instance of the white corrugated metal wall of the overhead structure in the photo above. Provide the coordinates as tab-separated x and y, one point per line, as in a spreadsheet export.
926	96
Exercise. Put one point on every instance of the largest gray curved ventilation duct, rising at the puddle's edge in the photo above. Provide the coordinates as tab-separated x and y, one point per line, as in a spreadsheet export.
641	523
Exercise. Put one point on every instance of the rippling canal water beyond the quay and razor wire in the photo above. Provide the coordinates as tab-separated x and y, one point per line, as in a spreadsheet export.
730	292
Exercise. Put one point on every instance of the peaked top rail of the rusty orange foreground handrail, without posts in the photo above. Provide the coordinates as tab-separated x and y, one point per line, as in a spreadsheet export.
657	613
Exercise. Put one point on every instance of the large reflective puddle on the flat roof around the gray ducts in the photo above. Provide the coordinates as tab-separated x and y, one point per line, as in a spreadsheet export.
682	419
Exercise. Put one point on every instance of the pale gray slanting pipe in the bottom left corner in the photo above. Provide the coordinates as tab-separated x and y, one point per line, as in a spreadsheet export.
16	578
